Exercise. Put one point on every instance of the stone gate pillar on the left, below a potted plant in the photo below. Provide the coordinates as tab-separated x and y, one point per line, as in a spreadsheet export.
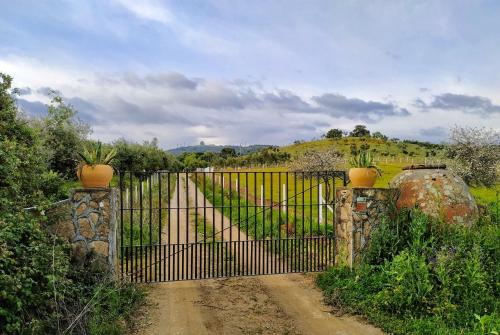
88	221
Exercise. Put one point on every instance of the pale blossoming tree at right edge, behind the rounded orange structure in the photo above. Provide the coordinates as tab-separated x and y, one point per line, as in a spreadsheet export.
476	154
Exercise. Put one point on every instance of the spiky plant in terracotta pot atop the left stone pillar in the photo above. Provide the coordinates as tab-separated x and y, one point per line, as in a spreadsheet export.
94	170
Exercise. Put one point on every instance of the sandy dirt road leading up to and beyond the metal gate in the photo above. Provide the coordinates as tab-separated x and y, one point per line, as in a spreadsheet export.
277	304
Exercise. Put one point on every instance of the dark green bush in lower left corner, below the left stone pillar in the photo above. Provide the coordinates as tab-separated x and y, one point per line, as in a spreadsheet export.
41	294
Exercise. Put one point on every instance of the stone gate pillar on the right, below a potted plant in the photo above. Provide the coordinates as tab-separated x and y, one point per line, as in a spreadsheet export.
357	212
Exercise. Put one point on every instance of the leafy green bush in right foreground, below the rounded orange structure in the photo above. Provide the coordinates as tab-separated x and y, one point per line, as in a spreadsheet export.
419	276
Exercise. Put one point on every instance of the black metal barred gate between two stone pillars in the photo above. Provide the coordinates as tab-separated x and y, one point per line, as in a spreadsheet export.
197	225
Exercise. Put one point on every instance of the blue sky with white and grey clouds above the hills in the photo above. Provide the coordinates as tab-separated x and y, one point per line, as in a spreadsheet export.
248	72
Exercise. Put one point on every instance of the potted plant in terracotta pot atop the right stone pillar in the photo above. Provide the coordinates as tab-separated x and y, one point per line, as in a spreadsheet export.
363	173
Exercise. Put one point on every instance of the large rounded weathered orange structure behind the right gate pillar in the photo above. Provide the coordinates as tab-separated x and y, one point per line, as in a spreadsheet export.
437	192
